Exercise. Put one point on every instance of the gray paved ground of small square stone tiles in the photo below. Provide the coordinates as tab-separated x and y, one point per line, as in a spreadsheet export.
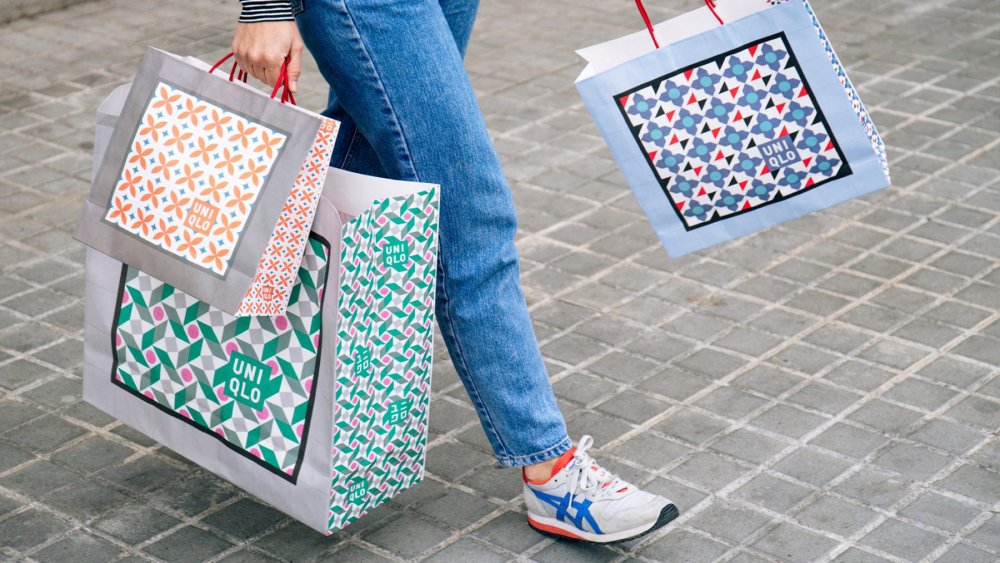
825	390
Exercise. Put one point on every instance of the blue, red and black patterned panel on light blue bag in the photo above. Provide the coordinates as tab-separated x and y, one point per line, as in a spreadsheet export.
733	133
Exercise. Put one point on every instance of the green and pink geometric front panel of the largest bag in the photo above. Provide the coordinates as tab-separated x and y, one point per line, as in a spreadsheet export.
246	380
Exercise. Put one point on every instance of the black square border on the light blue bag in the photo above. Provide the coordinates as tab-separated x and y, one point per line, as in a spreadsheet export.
844	172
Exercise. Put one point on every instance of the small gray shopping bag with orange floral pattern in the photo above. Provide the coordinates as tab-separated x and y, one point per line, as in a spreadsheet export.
209	184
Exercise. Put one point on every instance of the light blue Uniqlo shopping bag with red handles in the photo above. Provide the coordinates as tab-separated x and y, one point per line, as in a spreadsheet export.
730	119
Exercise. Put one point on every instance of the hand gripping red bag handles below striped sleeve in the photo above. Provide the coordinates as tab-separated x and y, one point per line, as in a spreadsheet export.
260	49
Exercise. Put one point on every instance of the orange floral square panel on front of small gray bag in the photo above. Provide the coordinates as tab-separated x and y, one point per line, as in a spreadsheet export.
188	153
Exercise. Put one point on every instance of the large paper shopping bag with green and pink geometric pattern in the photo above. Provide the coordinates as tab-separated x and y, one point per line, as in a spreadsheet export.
320	411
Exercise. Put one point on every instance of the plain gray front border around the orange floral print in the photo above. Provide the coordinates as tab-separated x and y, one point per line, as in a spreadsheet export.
225	293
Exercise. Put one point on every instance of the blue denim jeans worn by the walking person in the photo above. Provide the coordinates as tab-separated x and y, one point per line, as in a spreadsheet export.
408	112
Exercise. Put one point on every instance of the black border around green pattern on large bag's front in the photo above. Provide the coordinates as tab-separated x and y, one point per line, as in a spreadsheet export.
293	478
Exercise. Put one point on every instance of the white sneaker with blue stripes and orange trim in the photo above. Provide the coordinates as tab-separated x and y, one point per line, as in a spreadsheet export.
583	501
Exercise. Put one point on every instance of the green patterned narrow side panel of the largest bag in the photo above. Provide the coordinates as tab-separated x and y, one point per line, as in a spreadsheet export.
388	268
